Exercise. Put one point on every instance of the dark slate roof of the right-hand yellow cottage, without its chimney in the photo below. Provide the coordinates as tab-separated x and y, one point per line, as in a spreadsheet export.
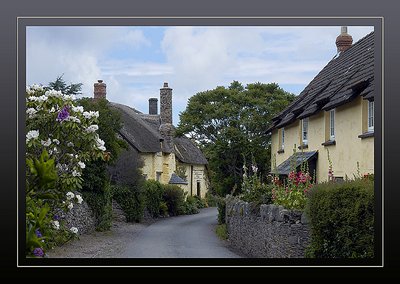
348	75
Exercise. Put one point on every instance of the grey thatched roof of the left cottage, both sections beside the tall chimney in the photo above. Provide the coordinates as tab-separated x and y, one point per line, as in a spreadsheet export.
142	132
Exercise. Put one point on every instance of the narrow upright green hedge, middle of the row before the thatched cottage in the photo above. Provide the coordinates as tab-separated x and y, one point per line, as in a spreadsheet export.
153	192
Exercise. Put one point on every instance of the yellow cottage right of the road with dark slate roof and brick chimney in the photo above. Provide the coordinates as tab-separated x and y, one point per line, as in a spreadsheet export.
334	113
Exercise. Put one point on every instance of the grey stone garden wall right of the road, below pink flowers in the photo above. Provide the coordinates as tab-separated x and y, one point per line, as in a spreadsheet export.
268	232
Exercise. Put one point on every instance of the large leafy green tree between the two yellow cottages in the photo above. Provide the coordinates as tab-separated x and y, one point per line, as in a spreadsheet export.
229	124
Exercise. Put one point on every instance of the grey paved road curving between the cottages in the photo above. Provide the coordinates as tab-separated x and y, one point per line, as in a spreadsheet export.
189	236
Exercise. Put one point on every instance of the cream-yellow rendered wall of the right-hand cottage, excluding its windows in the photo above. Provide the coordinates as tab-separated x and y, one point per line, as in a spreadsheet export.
349	149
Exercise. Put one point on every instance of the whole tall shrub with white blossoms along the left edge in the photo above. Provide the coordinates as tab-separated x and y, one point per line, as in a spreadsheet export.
60	138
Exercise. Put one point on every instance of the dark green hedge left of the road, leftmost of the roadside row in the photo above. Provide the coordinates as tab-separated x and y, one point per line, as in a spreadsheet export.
131	200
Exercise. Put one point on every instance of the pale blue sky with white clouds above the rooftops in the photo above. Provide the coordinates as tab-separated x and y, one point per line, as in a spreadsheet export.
135	61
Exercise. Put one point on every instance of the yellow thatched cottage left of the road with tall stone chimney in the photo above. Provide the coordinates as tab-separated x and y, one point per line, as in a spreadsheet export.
153	147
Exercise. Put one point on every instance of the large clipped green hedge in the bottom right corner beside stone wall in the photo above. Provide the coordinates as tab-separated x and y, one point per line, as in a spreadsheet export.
342	220
